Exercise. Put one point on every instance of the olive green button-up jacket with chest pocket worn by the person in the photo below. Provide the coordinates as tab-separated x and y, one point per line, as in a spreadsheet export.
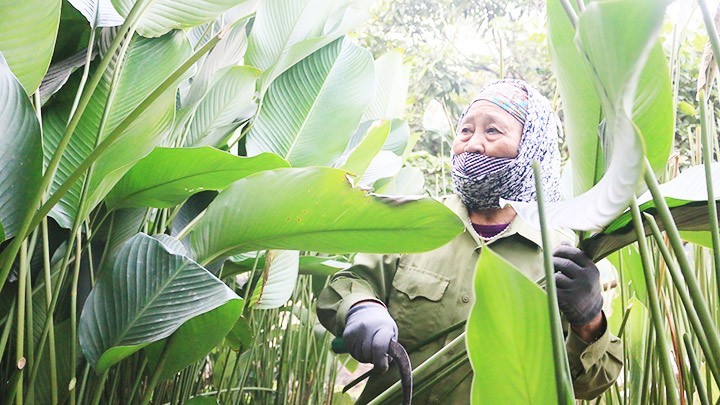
428	292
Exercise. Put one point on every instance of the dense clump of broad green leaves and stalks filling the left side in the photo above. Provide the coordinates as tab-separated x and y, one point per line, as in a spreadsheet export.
174	136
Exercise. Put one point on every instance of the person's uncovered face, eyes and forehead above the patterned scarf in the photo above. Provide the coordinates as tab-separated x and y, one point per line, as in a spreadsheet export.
489	130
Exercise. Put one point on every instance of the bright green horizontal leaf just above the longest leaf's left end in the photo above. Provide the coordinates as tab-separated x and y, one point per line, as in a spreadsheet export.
153	182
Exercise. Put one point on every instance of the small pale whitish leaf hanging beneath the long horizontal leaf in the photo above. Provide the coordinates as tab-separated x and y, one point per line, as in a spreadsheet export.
278	281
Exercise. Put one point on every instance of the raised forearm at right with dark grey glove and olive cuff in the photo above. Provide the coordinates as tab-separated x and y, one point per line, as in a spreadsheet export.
594	354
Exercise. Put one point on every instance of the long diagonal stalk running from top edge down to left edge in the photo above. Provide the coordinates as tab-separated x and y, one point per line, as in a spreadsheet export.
31	220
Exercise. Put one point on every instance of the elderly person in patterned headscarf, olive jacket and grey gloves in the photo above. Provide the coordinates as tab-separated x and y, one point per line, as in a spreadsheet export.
410	297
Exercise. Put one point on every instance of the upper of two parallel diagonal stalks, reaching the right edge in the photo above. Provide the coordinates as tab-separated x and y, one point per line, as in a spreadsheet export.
701	307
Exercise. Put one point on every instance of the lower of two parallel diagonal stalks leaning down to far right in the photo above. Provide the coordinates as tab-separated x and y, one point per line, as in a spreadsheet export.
684	297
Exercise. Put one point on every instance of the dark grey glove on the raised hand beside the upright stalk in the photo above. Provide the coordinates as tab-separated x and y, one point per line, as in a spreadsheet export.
578	285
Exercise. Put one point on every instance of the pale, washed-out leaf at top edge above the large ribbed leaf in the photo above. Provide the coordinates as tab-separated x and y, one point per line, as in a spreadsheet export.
307	25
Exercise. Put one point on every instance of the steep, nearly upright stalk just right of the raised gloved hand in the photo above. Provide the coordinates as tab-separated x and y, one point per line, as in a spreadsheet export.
656	317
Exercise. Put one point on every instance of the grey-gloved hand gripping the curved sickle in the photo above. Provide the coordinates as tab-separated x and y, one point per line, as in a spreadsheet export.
369	328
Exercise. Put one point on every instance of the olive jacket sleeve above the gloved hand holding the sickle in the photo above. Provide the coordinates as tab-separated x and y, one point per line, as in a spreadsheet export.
369	279
